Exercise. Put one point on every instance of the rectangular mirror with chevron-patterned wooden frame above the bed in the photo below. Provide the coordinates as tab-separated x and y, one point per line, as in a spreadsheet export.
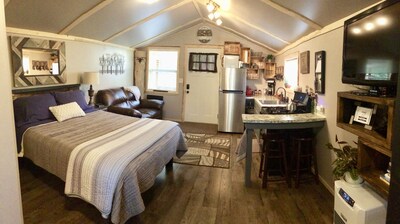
37	61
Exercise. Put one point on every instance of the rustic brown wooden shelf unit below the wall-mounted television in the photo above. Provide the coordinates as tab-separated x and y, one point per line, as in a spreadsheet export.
374	146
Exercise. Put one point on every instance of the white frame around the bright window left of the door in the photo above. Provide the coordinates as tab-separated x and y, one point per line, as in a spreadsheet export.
147	73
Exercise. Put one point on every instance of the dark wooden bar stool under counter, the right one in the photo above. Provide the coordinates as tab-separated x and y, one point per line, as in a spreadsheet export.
303	155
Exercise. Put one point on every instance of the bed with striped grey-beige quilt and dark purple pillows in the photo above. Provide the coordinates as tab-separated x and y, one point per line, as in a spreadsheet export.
106	159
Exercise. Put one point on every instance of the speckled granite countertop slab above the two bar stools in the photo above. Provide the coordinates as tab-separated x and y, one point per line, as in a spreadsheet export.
282	118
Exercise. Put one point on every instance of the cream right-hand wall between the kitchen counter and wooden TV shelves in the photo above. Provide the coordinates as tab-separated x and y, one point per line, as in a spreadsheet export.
332	43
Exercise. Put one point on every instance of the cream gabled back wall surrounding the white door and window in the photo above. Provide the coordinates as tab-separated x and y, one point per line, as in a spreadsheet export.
173	103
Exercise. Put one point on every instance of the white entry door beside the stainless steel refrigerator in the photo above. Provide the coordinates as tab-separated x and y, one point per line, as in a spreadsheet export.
201	90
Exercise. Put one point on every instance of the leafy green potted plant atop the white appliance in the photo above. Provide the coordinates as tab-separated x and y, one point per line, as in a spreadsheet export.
346	160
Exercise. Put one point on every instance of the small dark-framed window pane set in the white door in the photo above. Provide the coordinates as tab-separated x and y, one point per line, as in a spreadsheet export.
203	62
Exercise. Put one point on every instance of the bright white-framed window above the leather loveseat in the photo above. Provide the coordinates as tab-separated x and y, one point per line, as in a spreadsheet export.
162	70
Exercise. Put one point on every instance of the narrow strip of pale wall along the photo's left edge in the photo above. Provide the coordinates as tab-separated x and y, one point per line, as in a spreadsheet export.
10	193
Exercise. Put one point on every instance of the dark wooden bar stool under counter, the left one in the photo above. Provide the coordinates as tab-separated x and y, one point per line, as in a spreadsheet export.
273	149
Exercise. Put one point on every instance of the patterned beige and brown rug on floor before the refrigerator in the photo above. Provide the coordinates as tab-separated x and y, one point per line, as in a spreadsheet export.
206	150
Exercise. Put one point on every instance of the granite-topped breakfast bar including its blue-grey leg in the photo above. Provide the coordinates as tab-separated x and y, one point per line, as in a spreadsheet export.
275	121
